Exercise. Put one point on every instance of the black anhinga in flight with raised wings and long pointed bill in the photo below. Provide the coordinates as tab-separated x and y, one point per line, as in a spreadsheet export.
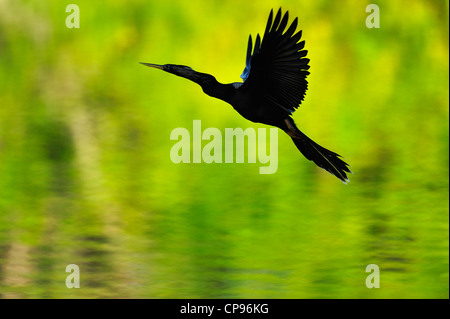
273	88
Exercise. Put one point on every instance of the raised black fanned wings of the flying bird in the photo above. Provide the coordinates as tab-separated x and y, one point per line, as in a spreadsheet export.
278	67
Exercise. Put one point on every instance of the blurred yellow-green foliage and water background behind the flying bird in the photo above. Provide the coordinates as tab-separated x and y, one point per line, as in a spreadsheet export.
86	177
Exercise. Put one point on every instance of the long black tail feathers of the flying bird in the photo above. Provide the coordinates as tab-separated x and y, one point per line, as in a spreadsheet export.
322	157
